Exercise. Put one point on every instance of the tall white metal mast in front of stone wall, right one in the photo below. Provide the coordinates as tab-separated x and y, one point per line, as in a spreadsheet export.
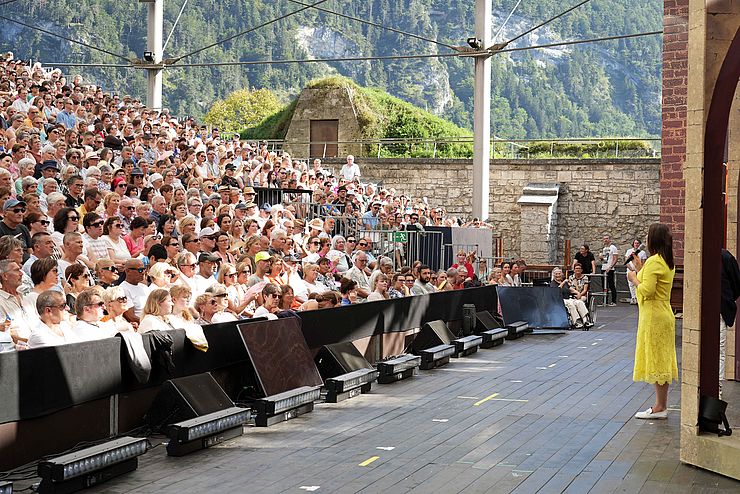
482	112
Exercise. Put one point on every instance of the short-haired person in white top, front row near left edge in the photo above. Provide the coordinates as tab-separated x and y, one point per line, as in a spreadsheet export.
52	330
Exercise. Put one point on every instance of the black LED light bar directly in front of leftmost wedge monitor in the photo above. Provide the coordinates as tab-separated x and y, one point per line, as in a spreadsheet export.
206	431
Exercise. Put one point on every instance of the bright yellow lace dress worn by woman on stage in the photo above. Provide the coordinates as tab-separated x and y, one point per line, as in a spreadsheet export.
655	353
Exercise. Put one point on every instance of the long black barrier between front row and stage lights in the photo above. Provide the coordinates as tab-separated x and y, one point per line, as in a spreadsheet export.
51	398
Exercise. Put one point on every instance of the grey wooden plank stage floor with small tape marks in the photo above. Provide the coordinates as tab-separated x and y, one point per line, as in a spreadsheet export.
538	414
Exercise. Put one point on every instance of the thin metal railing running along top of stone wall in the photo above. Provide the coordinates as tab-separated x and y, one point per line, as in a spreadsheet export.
462	147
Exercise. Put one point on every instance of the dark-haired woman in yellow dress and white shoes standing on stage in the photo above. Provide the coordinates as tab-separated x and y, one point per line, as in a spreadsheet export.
655	353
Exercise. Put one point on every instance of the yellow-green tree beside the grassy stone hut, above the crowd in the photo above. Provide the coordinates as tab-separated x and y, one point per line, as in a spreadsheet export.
242	108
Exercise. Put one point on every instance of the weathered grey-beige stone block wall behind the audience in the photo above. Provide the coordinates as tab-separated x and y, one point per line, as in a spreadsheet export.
621	197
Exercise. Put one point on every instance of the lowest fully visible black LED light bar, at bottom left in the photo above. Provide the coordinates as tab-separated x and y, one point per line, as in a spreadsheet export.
91	466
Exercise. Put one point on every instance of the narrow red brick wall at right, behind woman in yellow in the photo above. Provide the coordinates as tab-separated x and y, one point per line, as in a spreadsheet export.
675	90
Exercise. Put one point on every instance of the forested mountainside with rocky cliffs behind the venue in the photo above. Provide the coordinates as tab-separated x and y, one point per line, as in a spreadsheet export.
610	88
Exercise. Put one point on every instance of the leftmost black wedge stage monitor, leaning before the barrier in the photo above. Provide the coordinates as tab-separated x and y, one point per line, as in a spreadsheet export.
185	398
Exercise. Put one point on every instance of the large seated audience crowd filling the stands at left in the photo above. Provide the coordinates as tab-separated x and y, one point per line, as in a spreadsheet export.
117	218
